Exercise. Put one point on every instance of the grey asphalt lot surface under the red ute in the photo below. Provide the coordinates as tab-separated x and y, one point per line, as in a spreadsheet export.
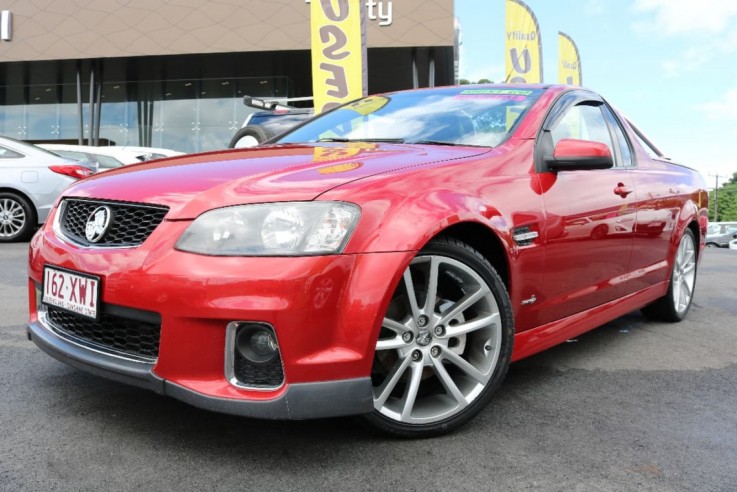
633	405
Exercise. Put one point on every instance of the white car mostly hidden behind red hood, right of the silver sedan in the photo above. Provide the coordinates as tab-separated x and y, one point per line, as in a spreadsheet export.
112	156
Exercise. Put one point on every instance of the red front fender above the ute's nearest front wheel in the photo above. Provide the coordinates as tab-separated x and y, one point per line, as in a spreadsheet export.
402	216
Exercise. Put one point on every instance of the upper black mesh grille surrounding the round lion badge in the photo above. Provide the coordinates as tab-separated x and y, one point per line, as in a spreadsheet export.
130	223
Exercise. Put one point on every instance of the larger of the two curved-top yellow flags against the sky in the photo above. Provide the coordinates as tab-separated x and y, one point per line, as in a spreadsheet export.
524	51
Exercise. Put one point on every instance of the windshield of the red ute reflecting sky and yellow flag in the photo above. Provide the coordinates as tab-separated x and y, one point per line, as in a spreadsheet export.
447	116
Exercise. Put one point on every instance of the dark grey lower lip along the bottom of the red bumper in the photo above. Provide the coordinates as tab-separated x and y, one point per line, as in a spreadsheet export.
298	402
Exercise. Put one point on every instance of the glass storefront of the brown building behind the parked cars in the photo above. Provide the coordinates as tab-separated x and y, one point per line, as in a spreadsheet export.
185	115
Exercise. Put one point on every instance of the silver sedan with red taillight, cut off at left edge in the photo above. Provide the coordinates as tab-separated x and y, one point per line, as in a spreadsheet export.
30	180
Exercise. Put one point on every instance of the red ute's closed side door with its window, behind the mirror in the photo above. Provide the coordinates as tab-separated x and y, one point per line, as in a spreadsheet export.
590	215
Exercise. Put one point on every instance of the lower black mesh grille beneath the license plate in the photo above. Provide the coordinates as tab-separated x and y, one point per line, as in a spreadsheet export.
111	333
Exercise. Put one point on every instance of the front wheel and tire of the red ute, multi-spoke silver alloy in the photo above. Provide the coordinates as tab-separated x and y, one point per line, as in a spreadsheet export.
437	364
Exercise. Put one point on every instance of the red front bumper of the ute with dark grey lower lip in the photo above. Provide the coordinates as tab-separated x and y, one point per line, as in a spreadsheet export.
326	313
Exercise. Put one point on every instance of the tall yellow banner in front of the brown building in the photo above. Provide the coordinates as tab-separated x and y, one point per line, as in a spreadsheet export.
338	38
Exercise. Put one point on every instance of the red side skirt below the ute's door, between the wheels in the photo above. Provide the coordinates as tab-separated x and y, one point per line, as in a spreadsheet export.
535	340
